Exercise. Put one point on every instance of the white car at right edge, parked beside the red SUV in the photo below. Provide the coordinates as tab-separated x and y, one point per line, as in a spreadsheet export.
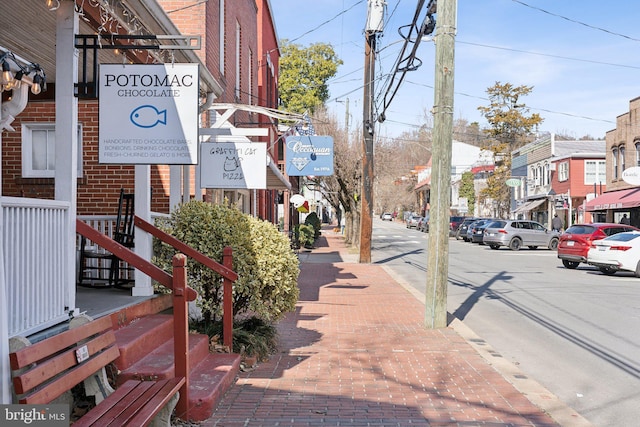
620	252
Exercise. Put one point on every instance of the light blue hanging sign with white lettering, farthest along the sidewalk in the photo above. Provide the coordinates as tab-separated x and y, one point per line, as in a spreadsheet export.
309	155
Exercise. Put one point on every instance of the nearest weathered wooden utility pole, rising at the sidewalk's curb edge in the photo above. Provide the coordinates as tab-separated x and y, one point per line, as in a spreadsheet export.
440	195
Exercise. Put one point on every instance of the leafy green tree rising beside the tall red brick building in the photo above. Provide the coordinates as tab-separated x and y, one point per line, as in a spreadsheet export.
304	73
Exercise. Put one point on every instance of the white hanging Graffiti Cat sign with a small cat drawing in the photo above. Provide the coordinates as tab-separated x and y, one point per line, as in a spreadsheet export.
233	165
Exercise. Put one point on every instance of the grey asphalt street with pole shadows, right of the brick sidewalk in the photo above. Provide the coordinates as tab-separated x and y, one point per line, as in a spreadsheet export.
576	332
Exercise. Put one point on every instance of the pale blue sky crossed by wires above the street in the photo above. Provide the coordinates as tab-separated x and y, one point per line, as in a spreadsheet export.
581	57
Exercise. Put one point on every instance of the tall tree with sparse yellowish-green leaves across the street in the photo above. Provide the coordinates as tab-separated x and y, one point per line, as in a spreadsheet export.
510	127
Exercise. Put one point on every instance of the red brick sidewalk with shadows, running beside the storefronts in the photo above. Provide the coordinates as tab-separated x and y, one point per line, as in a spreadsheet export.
355	353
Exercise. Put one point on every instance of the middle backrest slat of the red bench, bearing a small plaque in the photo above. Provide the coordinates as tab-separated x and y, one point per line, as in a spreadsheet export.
48	369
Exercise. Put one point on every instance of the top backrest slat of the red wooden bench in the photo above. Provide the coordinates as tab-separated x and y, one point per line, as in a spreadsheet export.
44	349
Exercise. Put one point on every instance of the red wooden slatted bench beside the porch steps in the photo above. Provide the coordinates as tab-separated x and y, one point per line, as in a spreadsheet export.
45	370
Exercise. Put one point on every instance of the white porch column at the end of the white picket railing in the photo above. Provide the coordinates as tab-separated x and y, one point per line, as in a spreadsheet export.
66	174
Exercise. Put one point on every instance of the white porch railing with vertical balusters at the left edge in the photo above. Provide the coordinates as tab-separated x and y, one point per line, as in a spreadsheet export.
35	250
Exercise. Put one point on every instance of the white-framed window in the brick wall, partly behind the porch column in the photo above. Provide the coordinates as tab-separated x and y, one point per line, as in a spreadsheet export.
39	150
